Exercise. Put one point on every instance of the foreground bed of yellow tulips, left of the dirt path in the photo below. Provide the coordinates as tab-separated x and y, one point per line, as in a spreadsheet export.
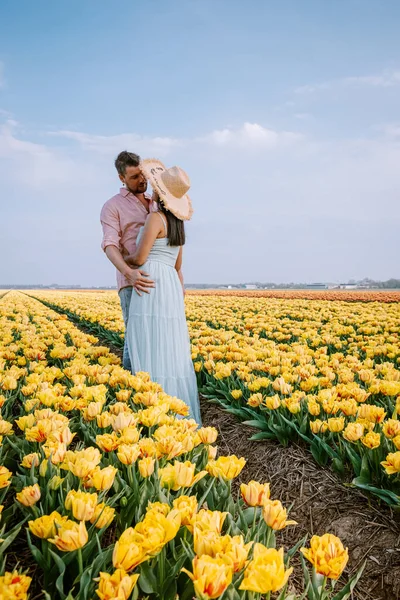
106	491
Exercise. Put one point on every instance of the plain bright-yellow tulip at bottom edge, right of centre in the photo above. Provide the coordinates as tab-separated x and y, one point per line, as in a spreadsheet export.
266	572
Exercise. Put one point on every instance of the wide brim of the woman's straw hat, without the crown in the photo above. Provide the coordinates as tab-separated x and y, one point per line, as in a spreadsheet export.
180	207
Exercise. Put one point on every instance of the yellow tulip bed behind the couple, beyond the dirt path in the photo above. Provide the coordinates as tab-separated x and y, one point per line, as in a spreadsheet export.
324	372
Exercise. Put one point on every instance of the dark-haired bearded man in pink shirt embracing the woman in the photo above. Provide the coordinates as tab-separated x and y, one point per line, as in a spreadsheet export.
122	217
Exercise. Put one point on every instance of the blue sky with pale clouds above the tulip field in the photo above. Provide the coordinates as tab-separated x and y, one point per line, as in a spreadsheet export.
286	116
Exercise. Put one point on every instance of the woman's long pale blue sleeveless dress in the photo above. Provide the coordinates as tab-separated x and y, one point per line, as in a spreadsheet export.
157	333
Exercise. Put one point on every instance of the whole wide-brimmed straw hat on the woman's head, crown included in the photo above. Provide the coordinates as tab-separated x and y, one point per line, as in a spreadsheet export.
172	186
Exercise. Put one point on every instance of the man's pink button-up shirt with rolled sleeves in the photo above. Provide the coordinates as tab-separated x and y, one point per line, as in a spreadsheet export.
121	218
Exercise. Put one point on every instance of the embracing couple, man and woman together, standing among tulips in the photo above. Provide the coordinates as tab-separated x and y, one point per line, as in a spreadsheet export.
143	237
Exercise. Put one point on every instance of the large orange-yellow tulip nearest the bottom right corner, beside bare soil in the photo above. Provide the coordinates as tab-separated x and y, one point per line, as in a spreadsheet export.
327	555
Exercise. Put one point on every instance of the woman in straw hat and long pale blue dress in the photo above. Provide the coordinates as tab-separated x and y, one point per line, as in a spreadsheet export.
157	334
